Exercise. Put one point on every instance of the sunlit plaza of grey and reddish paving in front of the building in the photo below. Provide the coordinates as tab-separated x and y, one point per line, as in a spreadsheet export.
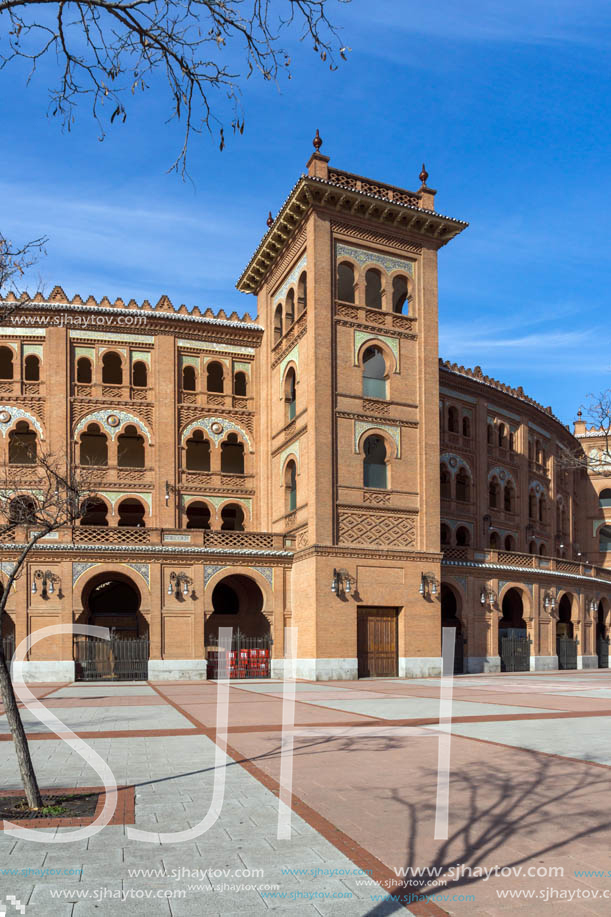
530	785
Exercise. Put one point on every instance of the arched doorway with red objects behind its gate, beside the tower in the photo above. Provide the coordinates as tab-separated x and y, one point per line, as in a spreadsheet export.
238	602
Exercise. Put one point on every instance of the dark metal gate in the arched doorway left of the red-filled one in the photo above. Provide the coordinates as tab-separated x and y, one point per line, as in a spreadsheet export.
117	659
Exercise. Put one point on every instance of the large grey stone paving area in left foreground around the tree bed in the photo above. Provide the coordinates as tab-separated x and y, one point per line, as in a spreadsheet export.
174	779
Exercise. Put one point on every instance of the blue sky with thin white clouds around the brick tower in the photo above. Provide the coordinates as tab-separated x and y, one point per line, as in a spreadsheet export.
507	102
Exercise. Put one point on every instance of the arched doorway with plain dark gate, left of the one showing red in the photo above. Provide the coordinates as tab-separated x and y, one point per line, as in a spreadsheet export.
112	600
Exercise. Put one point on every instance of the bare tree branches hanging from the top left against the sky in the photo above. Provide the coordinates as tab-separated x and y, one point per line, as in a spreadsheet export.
108	50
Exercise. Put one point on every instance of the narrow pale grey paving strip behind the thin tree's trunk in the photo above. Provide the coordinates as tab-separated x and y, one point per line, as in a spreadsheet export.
104	719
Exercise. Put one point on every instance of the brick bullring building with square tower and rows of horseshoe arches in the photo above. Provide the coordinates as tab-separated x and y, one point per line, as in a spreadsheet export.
315	467
